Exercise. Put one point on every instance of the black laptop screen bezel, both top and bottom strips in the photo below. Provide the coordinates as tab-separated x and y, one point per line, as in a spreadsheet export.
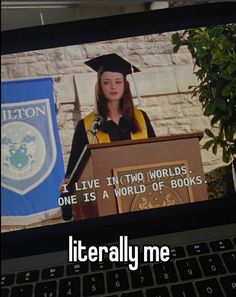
158	221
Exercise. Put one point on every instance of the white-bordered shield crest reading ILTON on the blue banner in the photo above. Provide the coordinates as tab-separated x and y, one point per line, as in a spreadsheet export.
27	145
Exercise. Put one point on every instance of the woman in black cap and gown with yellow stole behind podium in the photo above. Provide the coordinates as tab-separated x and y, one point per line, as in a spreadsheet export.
115	117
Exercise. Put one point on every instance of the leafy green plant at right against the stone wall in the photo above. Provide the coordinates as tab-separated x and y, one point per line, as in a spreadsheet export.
213	50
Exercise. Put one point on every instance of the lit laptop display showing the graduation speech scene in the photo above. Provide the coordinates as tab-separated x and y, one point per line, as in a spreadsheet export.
83	138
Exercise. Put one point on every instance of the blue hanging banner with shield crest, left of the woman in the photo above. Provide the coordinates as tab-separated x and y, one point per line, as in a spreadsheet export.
31	161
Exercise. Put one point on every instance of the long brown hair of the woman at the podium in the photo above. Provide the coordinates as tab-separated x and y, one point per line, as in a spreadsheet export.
126	105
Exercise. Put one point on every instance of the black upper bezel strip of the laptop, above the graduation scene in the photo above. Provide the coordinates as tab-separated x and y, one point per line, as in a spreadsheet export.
126	25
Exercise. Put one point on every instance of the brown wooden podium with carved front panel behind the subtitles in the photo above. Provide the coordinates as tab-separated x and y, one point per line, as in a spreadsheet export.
126	176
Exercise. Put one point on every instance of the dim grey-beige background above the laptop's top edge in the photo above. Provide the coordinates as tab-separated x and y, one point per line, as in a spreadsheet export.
20	14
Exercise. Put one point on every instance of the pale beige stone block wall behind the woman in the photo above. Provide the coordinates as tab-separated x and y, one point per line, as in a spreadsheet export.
163	83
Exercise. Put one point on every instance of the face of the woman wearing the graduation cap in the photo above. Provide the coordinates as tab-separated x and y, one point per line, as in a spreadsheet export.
112	85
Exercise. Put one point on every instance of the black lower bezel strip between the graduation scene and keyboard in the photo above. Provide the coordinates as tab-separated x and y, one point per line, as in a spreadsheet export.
107	229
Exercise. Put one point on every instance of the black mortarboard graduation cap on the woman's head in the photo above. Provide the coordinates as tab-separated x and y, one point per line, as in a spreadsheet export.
111	62
